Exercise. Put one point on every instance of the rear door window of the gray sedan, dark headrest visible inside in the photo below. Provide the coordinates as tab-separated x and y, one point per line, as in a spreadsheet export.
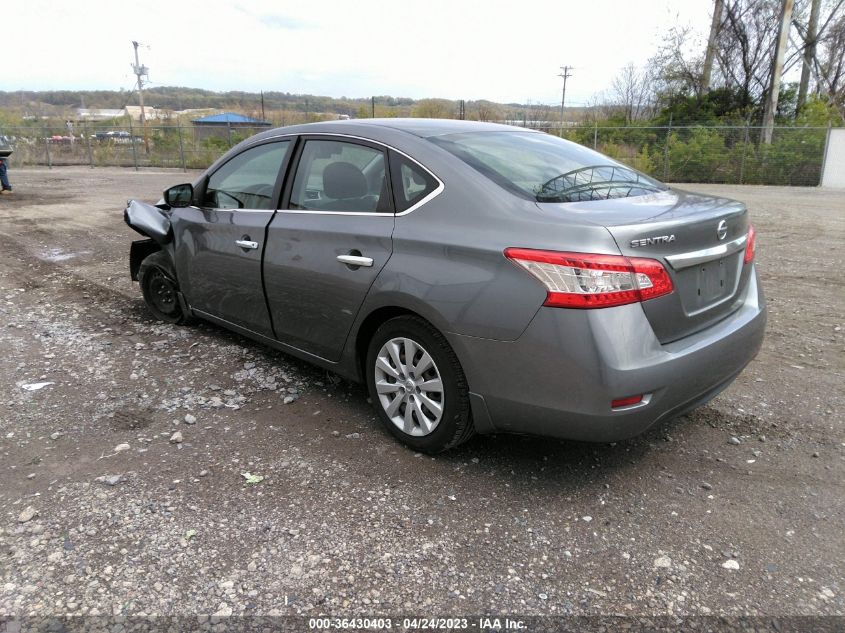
340	176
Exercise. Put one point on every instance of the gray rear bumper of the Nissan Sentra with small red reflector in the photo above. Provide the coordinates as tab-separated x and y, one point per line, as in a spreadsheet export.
560	377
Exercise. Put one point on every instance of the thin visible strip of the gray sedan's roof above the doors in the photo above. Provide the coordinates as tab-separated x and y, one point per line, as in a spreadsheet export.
423	128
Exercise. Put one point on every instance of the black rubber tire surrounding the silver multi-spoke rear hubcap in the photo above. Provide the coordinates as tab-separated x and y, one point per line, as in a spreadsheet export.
455	425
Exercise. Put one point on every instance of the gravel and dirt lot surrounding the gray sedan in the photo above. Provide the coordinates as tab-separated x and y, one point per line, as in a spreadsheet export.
738	508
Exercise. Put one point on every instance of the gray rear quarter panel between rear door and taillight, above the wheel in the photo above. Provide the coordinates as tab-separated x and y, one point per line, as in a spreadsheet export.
448	260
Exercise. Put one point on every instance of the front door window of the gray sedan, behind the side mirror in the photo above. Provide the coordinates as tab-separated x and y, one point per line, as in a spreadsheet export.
248	180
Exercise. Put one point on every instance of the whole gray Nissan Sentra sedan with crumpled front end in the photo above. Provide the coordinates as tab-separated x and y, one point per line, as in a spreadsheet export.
478	278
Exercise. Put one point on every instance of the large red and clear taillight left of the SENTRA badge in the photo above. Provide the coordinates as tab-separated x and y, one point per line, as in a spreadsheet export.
581	280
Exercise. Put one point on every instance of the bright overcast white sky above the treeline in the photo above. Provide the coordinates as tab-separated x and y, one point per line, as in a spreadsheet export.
458	49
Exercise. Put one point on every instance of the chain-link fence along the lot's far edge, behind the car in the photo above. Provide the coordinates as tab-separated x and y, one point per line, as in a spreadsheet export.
714	154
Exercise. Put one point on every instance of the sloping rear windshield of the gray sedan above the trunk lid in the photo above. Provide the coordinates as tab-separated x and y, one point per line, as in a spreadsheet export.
546	168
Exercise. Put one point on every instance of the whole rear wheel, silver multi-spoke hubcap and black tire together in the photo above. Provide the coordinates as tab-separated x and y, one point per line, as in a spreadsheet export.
417	386
